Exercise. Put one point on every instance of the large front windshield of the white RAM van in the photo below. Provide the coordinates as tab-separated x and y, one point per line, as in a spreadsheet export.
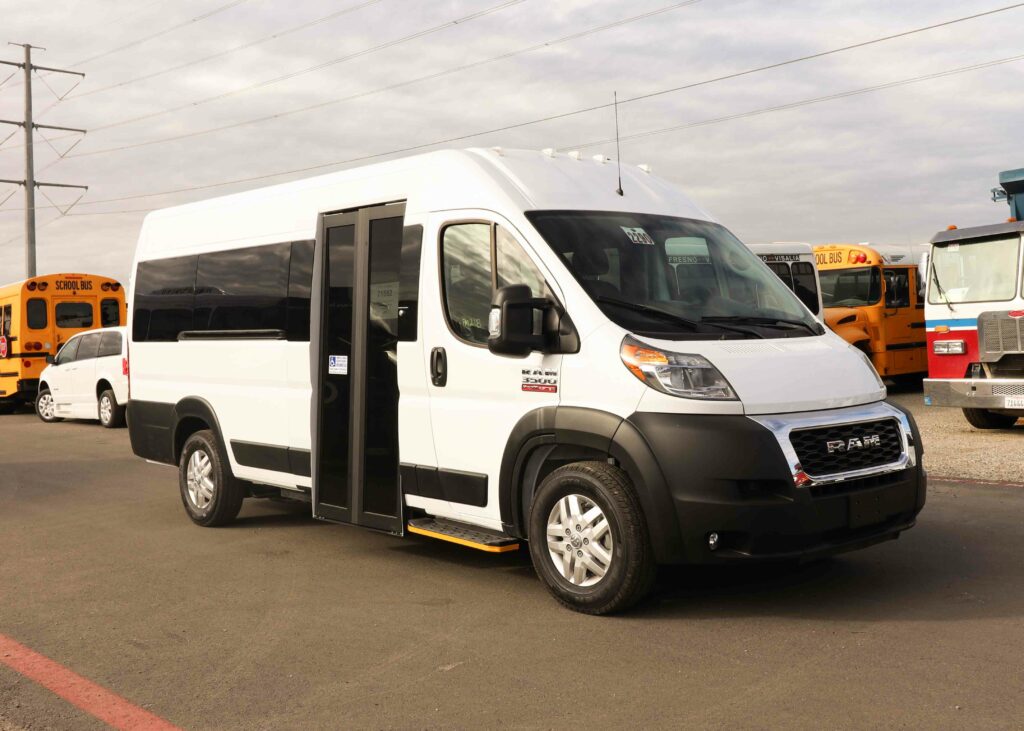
673	278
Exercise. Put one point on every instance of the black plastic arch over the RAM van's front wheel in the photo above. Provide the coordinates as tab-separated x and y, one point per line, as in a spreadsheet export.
549	438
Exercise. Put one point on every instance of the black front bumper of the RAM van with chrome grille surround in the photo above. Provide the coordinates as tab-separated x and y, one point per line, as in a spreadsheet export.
739	479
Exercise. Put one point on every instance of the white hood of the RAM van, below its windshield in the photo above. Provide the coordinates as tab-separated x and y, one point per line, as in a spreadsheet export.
786	375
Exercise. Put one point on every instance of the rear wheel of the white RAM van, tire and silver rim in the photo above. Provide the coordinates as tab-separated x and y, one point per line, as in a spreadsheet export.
210	493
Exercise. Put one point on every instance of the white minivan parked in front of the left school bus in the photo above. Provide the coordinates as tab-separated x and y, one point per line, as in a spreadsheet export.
88	379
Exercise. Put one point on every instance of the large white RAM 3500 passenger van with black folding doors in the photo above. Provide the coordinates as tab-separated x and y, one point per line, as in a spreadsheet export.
496	347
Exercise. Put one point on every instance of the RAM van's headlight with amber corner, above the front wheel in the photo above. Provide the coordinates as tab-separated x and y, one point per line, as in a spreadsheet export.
675	374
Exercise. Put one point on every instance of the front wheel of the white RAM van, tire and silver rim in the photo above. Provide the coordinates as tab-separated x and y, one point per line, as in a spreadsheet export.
629	571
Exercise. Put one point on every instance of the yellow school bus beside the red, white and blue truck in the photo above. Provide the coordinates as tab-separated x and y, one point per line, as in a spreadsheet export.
876	305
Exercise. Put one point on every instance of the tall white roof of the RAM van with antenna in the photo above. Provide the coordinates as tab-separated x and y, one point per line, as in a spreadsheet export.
501	181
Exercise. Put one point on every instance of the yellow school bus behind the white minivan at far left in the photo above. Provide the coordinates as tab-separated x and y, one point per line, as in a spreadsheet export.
37	316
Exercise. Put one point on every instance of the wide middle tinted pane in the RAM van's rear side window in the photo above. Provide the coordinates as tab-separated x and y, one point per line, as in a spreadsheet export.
243	289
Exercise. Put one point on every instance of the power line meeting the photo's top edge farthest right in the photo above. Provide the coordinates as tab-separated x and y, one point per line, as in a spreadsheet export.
402	84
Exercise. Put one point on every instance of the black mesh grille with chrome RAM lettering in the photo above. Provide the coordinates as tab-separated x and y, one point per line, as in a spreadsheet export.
855	447
